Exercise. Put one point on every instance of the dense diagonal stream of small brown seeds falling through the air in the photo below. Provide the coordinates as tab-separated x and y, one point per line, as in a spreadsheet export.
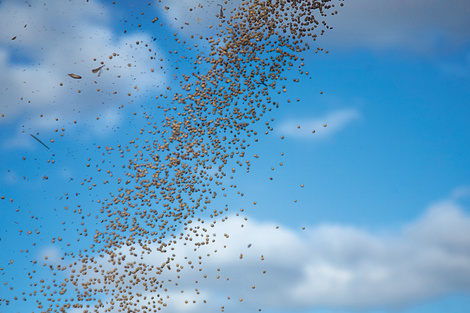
200	135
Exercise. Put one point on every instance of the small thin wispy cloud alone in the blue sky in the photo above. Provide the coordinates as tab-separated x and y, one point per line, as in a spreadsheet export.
336	121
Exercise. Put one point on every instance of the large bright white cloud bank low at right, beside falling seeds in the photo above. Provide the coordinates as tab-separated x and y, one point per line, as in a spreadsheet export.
345	267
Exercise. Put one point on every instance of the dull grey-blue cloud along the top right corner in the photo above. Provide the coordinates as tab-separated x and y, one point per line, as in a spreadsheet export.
421	26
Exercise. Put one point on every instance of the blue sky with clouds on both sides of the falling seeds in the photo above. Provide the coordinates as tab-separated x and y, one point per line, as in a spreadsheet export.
386	184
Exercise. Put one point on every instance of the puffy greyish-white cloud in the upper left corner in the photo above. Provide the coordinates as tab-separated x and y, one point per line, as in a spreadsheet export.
63	37
